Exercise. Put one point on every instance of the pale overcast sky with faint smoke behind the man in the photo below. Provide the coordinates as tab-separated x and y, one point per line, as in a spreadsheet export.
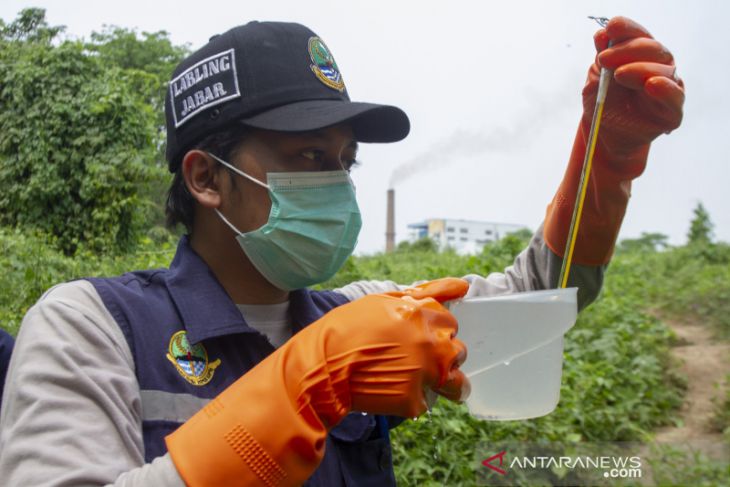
493	93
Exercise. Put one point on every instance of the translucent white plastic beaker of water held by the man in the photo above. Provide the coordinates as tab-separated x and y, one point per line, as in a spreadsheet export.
515	351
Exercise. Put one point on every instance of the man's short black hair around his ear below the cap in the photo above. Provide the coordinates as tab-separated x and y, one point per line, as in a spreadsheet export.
180	206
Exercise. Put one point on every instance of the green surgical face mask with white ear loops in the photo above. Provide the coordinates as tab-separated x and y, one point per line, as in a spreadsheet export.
312	229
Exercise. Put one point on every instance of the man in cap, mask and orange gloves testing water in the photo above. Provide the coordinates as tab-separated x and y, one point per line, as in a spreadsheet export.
225	369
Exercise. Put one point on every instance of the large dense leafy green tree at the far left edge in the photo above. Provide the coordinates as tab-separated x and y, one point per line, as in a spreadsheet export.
77	141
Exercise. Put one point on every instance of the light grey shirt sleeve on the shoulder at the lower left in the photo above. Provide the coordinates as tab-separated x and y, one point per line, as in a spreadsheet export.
71	410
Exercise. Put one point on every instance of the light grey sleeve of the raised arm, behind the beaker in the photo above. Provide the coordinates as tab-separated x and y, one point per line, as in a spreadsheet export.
535	268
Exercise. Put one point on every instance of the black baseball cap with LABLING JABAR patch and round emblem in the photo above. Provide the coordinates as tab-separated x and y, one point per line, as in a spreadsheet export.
268	75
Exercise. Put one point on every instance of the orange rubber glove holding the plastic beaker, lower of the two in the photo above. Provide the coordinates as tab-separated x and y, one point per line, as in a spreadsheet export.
375	354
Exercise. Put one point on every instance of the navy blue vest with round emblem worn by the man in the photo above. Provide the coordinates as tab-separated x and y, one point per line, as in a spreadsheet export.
152	306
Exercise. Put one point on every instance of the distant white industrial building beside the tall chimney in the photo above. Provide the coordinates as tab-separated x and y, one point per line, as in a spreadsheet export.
464	236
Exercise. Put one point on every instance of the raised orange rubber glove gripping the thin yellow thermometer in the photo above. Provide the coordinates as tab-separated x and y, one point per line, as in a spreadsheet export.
644	100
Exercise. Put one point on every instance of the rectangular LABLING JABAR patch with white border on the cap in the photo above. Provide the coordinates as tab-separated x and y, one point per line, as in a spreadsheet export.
203	85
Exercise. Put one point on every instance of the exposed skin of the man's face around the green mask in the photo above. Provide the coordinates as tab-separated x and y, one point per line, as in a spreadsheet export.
247	204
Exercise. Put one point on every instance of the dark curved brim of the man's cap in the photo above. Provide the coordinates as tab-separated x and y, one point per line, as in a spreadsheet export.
370	122
